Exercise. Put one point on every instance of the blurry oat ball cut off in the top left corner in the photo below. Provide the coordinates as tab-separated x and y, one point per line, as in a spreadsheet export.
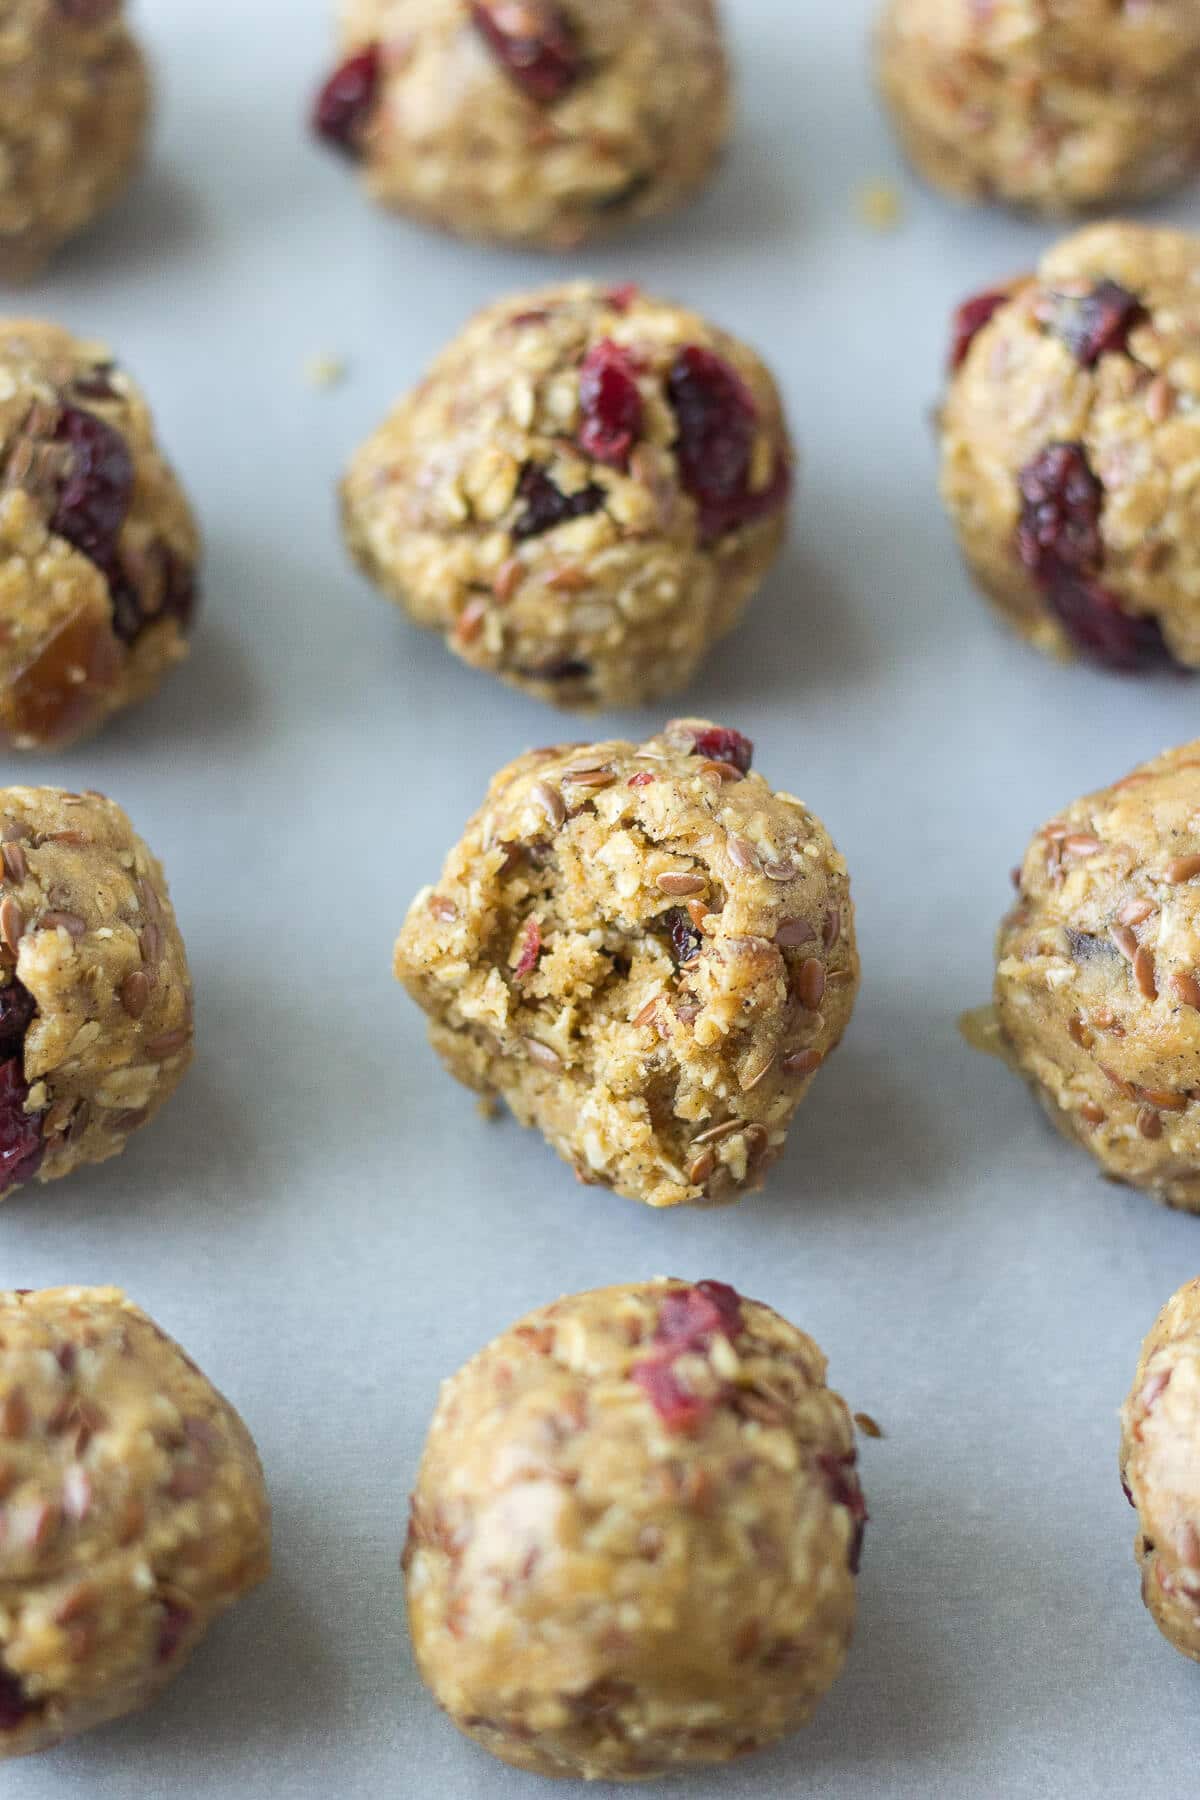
75	105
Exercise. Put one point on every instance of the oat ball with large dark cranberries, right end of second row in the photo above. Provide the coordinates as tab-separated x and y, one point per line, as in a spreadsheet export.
1070	433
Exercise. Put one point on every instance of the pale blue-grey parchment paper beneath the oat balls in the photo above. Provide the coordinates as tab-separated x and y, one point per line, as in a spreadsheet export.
321	1216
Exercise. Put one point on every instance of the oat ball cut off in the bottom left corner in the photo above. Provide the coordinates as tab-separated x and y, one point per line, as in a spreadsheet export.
132	1509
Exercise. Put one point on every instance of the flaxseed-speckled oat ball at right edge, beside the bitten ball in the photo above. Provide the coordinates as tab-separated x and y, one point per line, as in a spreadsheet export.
1098	980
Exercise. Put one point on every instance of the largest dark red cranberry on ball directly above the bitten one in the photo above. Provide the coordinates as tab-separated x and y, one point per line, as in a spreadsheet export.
717	427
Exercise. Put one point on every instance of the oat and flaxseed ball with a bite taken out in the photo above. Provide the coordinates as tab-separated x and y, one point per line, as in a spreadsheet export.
647	953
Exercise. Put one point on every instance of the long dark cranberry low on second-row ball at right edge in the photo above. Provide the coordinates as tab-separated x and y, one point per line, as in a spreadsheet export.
1061	544
